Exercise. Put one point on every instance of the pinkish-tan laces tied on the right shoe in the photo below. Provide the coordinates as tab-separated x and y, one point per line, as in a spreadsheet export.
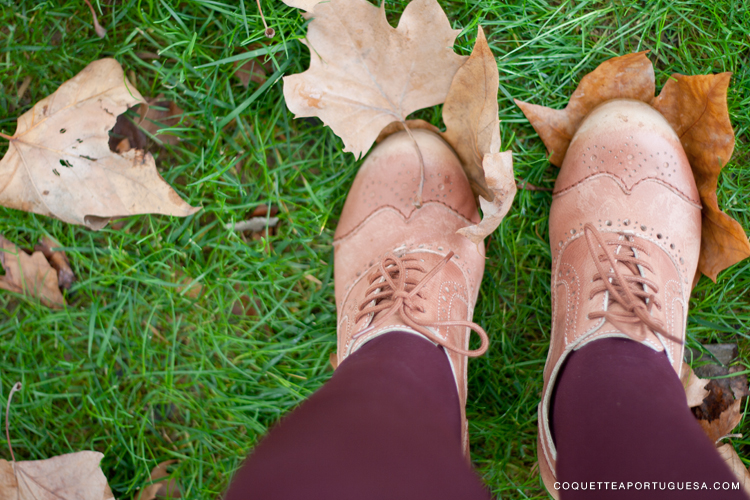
624	283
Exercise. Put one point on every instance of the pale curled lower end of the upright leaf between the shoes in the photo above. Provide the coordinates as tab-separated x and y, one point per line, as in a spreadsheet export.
498	172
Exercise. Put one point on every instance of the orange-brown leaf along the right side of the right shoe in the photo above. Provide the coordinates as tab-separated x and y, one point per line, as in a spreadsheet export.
696	107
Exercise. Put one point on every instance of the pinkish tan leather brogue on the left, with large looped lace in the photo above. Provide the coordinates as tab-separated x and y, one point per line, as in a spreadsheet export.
402	268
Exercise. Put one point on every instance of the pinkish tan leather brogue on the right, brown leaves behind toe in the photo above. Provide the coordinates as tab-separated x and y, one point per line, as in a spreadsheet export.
625	231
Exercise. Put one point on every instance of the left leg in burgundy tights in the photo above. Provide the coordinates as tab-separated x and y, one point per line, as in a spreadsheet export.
385	427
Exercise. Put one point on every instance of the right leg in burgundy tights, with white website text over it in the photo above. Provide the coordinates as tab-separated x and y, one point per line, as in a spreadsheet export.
620	415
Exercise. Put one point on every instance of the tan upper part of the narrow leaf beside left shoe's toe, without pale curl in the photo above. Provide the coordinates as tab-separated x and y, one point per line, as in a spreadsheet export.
471	116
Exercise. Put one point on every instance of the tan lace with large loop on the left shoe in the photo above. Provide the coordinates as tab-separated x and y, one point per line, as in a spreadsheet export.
394	289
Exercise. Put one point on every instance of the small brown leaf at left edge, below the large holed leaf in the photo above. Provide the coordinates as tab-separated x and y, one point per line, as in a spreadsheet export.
30	275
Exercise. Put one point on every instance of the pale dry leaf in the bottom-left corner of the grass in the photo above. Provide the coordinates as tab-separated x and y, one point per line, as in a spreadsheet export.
75	476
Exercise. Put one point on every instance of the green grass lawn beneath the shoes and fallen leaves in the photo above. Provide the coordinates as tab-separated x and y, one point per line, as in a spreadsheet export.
139	370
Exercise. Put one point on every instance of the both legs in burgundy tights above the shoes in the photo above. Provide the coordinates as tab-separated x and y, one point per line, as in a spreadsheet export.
387	426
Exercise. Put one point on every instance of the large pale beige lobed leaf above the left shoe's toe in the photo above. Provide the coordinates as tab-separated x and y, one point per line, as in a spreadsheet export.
364	74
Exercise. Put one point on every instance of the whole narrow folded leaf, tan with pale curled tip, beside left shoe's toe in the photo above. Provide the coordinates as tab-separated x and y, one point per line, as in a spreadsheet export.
473	130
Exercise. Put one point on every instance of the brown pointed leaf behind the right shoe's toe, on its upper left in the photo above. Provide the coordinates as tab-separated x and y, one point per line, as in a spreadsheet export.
626	77
